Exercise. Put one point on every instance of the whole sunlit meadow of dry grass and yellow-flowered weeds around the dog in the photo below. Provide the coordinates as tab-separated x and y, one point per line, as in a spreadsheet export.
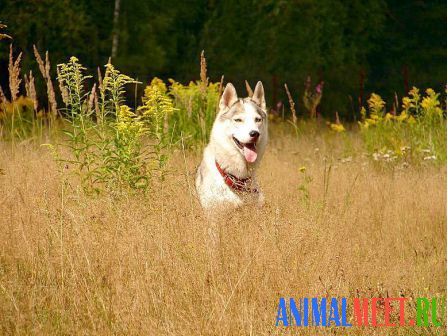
101	231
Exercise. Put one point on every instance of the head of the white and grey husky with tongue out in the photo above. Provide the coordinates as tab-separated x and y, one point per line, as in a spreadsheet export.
243	121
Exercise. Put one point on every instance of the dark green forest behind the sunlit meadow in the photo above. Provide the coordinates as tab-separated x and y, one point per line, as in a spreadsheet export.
355	47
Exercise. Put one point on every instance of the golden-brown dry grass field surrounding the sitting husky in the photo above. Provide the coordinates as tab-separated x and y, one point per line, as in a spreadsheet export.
72	264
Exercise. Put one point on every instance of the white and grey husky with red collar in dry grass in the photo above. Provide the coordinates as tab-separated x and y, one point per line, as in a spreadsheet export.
226	177
